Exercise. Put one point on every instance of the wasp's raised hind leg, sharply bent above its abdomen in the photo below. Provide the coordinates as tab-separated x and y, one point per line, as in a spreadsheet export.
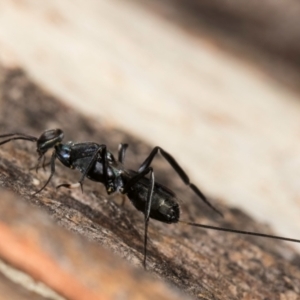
179	171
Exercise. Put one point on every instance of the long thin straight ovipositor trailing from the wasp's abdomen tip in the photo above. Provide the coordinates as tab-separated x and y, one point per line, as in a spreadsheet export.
241	232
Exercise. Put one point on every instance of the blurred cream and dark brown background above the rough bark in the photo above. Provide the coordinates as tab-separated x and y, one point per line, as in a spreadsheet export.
215	84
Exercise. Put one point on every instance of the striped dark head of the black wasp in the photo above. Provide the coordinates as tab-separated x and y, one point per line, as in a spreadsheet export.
49	139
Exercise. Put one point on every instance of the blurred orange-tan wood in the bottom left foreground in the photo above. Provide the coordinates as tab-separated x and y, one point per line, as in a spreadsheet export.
40	260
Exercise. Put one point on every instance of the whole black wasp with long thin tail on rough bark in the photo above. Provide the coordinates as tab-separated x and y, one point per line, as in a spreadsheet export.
95	162
